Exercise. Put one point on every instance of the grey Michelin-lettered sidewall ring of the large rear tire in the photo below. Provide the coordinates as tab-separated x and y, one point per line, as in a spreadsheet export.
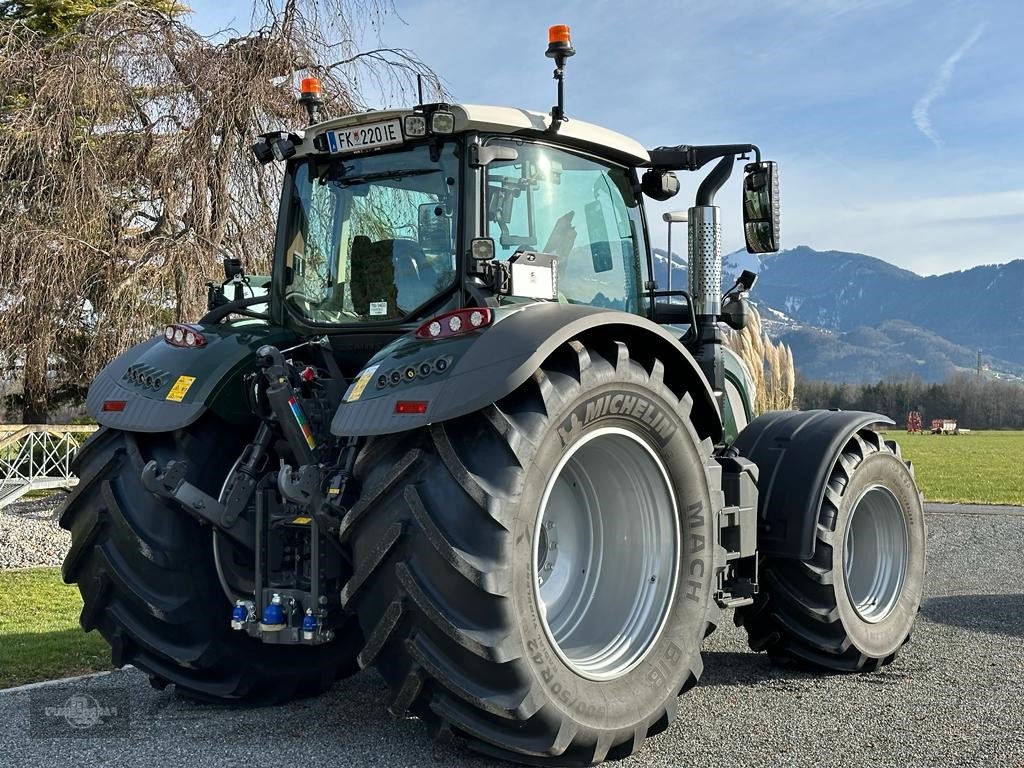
641	695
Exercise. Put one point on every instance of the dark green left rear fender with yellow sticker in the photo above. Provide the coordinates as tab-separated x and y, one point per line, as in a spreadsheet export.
183	383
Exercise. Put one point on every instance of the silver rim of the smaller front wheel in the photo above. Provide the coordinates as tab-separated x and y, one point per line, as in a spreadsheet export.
876	554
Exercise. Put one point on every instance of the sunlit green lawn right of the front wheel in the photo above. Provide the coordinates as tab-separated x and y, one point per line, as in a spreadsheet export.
977	468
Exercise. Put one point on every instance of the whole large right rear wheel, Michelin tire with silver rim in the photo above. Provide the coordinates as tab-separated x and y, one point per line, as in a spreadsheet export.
448	550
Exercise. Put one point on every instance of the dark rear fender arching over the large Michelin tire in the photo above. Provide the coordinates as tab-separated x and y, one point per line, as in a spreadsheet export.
484	367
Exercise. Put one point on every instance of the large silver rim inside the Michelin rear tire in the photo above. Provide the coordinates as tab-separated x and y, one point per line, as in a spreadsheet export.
606	553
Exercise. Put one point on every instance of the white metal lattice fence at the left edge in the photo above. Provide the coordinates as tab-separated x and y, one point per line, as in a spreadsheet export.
37	457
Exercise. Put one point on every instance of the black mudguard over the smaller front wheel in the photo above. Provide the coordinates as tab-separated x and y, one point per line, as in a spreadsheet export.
795	452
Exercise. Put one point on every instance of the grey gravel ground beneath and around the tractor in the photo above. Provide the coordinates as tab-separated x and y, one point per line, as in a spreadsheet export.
954	697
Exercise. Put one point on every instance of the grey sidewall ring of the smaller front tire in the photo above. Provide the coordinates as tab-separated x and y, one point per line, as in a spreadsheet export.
882	639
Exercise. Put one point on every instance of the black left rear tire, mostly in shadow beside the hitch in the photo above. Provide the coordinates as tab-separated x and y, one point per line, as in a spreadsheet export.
149	583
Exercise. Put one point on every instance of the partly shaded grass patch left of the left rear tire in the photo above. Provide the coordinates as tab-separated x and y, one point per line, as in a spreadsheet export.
40	638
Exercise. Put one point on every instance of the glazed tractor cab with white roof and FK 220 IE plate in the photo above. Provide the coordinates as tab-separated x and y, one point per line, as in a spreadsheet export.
390	219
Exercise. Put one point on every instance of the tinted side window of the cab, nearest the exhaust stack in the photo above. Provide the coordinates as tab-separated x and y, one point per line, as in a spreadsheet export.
582	211
